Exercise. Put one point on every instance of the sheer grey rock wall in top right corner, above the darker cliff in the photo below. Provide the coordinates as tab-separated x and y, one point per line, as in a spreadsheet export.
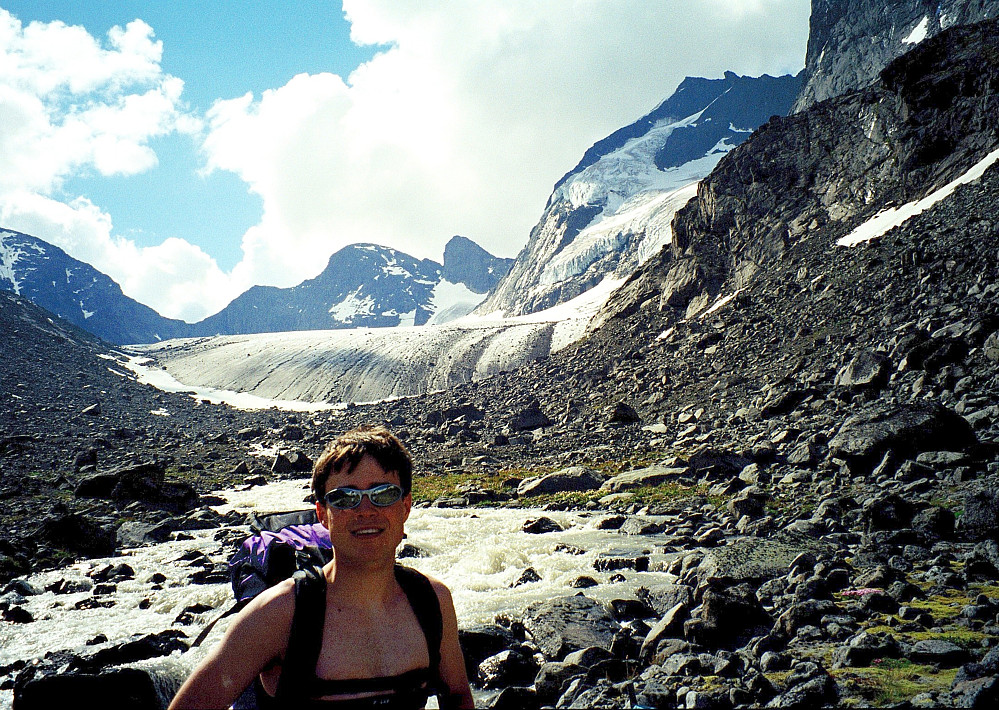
851	41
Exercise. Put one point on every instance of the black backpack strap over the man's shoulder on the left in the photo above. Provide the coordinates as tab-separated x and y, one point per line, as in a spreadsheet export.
306	636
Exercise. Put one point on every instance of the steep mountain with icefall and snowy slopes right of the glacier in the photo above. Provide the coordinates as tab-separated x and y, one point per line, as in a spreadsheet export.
612	210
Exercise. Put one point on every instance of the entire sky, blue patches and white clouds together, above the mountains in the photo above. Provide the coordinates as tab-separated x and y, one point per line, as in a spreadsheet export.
193	149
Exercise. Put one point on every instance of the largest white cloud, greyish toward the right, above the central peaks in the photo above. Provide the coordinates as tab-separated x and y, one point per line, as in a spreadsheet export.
465	122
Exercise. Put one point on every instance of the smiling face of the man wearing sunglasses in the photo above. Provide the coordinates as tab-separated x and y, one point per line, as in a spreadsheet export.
367	534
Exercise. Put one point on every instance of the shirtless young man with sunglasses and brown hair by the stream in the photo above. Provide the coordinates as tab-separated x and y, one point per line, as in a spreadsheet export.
374	650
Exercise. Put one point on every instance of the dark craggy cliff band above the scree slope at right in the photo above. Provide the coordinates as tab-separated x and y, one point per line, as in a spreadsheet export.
931	116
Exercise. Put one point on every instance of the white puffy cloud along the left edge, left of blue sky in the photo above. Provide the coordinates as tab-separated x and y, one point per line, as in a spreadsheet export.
70	105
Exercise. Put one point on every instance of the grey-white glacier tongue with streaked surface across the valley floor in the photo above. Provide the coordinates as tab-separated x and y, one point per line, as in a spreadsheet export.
362	364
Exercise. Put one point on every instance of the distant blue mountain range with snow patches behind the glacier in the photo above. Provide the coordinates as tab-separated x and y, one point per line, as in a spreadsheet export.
363	285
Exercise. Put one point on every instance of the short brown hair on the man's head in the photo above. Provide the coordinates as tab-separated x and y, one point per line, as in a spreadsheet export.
344	453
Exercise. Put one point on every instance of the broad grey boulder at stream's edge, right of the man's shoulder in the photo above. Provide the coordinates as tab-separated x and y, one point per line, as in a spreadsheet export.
560	626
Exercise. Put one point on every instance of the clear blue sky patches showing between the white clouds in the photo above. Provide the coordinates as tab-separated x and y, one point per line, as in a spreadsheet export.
219	57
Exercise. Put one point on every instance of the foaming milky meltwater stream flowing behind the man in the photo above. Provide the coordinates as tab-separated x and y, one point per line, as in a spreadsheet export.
478	553
